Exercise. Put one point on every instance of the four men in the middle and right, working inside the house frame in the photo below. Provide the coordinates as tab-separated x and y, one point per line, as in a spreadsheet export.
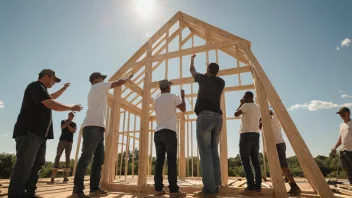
209	126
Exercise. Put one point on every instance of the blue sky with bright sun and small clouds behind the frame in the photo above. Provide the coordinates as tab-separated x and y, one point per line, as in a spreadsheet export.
303	46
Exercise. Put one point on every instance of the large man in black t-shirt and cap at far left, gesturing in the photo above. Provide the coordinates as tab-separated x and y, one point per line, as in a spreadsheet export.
32	129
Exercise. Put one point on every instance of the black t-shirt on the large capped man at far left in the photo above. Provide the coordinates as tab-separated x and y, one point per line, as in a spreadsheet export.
34	117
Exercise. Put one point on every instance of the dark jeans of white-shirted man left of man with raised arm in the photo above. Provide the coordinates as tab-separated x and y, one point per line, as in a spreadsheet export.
166	142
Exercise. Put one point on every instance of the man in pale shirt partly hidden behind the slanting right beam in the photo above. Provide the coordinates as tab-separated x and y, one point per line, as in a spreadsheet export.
281	151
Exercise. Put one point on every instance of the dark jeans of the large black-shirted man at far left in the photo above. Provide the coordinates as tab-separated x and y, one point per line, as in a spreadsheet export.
30	158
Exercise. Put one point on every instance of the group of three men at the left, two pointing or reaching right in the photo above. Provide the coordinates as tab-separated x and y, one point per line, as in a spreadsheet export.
34	127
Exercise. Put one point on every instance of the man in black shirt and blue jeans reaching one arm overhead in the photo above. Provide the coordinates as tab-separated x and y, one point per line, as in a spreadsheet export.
209	124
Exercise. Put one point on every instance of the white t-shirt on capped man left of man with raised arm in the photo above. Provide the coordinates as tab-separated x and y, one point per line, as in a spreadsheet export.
165	109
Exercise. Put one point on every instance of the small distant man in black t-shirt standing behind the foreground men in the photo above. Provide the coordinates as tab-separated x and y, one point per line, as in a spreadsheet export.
68	128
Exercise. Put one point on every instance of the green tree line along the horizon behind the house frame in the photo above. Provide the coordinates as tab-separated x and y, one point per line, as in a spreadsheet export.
327	165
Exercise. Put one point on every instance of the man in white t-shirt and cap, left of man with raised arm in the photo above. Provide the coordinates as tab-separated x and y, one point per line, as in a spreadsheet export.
165	137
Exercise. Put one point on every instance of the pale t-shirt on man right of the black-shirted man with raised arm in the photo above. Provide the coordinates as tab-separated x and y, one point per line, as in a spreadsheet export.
250	118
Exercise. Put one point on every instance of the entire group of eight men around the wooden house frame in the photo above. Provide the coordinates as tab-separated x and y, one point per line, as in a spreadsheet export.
34	127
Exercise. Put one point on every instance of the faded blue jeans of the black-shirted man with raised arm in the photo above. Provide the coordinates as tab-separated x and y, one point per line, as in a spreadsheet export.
209	126
